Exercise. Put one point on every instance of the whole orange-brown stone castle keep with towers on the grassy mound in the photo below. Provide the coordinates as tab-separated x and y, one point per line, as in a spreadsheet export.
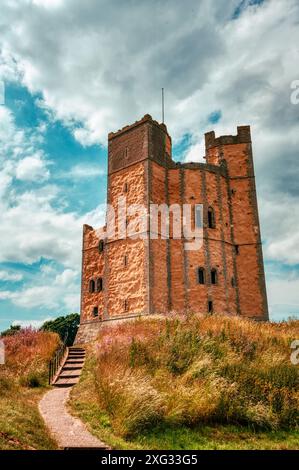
128	277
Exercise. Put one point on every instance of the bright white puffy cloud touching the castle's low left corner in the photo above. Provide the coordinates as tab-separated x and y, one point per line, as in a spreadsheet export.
34	229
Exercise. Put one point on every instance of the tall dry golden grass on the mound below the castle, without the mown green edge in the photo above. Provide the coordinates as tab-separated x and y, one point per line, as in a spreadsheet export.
191	370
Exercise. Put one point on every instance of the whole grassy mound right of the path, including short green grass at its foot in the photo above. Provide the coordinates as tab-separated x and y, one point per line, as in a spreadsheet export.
192	383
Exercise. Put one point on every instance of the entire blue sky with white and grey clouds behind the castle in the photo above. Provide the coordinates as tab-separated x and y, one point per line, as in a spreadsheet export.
73	71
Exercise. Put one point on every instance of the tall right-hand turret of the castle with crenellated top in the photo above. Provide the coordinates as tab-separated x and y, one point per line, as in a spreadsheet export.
235	151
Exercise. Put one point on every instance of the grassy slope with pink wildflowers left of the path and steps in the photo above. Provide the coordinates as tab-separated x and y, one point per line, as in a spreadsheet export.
23	379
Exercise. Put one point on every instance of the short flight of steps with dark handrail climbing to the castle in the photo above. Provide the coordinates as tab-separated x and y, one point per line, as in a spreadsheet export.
71	370
